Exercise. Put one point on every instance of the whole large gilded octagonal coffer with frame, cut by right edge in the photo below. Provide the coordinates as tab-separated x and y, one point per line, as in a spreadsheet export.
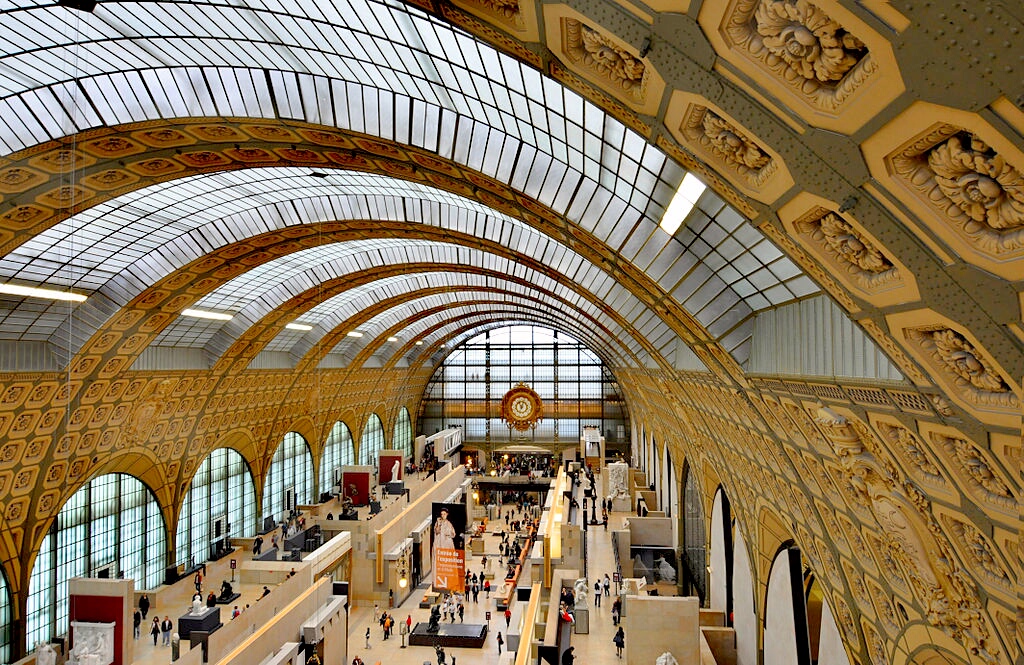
963	179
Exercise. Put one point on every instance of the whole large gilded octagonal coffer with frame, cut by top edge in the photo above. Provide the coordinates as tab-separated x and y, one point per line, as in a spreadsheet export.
825	63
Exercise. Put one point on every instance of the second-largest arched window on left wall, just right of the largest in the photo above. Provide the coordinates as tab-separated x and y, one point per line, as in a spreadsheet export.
221	504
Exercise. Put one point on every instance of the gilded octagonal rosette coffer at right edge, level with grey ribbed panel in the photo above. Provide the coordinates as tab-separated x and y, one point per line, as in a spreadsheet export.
960	363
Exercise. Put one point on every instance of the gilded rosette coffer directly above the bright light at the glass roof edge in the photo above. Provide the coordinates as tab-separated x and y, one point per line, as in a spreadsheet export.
718	139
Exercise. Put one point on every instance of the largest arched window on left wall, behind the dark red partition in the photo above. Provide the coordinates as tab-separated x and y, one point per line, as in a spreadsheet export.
110	528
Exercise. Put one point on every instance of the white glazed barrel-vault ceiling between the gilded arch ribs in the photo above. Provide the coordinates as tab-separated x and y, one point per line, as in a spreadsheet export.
377	68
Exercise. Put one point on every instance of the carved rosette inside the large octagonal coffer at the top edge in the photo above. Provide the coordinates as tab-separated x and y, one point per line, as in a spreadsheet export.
815	47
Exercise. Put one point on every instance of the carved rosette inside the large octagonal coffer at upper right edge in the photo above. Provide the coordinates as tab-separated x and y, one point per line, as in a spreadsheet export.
980	183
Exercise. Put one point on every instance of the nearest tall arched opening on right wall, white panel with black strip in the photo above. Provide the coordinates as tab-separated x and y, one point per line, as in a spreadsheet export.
786	612
